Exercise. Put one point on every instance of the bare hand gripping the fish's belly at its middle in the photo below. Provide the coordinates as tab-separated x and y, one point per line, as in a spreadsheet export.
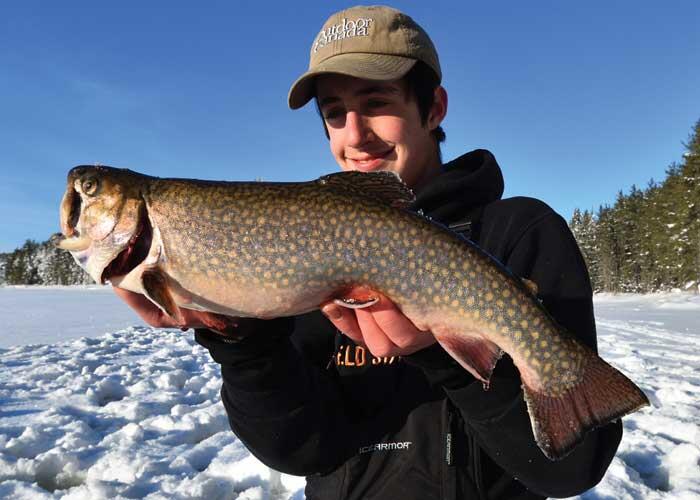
382	328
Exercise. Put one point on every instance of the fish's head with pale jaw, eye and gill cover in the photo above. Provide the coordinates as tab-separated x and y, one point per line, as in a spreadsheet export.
104	222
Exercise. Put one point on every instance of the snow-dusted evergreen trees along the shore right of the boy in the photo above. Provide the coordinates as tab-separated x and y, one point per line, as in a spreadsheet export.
649	240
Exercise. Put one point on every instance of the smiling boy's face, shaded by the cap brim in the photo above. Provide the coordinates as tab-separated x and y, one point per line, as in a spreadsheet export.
376	126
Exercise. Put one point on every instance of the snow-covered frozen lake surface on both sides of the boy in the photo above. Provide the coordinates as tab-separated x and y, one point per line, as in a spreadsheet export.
133	412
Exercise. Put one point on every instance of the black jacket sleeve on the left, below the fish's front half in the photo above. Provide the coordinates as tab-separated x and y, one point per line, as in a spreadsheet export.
282	405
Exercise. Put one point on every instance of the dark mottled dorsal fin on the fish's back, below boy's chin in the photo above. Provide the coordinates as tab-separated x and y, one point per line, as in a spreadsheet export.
386	186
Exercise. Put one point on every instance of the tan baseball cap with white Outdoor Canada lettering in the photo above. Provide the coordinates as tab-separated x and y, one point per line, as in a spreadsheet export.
375	43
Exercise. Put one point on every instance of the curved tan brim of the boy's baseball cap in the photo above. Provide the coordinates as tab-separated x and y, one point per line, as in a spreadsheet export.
379	67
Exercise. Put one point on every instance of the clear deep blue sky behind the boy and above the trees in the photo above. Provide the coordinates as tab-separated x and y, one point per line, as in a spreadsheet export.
576	99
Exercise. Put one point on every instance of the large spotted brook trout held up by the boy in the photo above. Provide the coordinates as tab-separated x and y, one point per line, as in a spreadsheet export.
264	250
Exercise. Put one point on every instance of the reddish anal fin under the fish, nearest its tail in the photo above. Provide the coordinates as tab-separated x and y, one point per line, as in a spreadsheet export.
477	355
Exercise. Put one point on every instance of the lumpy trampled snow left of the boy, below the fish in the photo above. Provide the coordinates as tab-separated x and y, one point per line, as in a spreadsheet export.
134	414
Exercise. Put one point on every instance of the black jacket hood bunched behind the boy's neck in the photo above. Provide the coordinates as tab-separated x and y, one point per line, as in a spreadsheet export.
472	180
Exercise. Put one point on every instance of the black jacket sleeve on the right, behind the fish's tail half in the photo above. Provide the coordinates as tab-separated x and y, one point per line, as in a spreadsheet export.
545	253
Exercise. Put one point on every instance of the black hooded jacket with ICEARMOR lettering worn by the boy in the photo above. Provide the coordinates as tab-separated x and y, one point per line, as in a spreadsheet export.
306	400
